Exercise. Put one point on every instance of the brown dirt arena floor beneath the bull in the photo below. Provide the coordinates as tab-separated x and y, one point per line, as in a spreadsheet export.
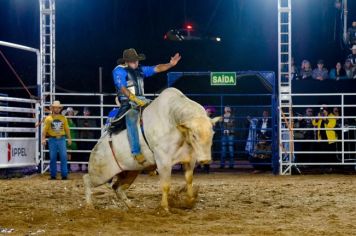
227	203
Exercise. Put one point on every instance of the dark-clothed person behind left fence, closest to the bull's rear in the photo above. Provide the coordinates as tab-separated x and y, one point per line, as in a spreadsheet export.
86	134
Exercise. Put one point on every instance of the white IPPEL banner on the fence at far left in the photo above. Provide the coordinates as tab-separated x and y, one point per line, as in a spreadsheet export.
17	151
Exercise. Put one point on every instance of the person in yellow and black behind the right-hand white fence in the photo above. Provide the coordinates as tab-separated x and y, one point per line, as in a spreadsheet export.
326	133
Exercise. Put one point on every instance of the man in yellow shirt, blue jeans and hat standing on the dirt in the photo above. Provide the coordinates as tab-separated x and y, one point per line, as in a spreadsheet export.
55	128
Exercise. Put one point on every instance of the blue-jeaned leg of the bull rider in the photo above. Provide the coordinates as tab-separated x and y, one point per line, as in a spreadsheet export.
132	131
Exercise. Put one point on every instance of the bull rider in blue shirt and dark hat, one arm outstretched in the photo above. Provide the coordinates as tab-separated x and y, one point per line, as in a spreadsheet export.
128	78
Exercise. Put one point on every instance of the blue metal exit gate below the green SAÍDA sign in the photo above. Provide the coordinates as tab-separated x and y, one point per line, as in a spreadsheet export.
253	93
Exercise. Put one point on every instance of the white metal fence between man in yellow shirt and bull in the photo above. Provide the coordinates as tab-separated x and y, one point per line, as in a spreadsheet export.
87	129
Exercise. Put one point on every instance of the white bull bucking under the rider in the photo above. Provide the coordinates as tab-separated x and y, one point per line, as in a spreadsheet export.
177	129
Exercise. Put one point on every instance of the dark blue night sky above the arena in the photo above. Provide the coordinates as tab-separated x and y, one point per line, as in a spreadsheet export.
93	33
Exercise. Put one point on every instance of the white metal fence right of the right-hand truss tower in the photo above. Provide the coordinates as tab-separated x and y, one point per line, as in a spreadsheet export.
313	144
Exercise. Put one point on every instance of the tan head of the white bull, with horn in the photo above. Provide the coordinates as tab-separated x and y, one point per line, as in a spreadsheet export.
198	133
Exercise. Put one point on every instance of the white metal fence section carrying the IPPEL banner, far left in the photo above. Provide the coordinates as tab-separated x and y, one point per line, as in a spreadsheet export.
19	140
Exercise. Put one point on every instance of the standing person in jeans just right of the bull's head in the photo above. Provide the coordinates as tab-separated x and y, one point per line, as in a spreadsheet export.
227	137
